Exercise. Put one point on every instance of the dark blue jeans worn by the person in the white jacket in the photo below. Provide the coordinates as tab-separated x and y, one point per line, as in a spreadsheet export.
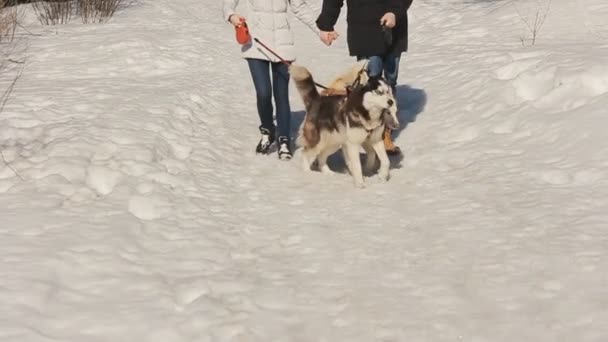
264	89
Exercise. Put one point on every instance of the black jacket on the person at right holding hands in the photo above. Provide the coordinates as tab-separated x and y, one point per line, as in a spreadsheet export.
364	34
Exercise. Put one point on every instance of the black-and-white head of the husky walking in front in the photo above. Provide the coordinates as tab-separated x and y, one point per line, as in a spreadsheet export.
378	99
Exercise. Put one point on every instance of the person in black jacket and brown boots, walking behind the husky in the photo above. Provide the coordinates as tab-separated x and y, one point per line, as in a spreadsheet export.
377	30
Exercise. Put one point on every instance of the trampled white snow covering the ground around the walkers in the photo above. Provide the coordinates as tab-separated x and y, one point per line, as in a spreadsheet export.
132	206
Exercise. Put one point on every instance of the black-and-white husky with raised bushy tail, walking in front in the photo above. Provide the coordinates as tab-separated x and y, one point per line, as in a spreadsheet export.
345	121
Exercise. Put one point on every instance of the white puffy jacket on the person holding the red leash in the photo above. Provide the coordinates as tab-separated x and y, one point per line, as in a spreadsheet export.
268	21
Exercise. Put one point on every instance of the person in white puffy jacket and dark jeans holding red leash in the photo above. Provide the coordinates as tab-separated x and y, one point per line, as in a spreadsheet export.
268	21
